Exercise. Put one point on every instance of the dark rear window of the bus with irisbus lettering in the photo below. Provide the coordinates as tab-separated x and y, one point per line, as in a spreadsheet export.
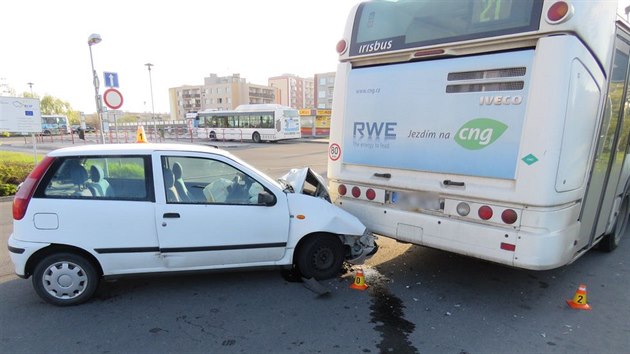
382	26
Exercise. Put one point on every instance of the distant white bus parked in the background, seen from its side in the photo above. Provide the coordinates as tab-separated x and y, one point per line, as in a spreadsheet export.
258	122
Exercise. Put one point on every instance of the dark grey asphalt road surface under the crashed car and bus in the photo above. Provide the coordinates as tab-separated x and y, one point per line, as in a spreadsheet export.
419	300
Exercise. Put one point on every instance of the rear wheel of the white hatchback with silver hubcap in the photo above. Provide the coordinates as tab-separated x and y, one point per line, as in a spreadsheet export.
65	279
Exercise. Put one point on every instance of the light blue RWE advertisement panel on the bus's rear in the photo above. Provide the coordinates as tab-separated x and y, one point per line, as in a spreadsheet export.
478	136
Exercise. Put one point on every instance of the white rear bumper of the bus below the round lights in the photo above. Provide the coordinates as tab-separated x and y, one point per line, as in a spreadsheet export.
534	249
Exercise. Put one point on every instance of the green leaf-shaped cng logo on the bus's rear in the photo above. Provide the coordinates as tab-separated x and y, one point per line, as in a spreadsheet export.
479	133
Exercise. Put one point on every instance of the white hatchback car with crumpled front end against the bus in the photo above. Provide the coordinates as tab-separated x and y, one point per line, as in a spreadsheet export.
110	210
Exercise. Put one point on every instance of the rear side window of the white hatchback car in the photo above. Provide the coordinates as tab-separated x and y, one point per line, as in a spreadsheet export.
98	177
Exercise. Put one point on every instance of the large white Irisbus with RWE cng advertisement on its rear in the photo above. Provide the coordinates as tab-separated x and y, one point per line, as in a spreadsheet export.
496	129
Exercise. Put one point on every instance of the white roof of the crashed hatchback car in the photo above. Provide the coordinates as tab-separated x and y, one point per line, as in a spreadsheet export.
134	149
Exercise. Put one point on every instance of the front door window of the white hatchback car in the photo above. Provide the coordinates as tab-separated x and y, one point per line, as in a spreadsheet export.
195	180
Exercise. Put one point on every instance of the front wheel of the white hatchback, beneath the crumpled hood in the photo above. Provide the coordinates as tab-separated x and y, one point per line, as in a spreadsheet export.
320	257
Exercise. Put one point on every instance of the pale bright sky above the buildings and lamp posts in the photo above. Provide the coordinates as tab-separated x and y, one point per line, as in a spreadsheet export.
45	42
